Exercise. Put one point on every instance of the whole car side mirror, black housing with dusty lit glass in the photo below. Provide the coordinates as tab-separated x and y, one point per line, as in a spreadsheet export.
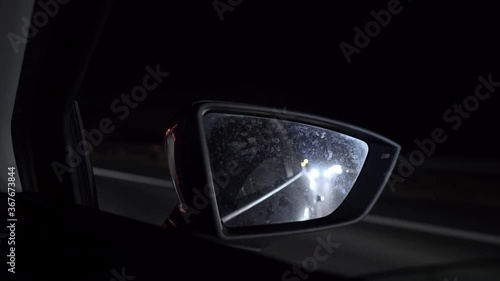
245	171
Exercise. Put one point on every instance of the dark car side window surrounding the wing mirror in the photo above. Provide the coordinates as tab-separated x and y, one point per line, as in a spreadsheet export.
423	77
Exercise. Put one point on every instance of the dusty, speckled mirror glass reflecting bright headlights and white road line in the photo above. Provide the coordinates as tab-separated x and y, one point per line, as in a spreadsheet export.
270	171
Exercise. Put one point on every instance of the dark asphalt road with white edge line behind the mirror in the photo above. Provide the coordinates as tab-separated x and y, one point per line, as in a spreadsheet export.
397	234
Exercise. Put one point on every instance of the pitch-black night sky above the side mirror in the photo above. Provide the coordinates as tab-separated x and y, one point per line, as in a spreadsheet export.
287	54
